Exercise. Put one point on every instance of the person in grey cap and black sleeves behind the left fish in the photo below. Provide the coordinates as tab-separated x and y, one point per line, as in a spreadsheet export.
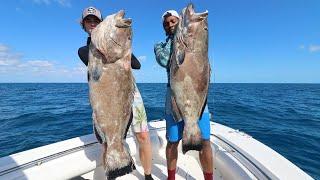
91	17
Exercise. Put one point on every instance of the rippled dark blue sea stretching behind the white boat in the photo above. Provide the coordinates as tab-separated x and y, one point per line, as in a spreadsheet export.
285	117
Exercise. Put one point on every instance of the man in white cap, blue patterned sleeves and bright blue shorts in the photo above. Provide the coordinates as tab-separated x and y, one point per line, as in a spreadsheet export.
174	128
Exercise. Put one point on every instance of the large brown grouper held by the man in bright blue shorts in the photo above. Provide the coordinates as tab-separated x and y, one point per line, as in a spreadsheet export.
190	74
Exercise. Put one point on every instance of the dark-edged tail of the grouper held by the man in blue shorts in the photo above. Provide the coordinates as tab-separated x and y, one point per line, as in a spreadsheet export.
192	139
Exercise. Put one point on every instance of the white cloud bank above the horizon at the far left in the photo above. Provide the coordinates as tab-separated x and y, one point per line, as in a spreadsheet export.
14	68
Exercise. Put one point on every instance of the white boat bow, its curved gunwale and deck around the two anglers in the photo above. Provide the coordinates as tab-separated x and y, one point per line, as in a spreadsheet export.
236	155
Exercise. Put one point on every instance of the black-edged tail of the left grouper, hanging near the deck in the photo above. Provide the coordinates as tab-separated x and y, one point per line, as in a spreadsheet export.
118	161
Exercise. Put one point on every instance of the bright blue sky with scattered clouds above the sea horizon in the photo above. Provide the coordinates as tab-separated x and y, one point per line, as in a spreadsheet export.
250	41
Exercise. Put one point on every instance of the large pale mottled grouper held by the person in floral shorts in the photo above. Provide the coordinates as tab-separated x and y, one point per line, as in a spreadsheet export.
111	90
